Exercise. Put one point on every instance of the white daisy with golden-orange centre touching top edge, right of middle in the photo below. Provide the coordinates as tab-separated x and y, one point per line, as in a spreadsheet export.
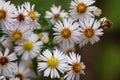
80	9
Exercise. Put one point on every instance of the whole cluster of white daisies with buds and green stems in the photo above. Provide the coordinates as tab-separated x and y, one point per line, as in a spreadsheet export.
29	50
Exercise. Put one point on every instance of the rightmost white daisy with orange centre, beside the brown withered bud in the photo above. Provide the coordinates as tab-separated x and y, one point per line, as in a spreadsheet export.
90	31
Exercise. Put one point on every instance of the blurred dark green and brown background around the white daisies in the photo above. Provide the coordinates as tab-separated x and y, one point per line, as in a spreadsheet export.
102	59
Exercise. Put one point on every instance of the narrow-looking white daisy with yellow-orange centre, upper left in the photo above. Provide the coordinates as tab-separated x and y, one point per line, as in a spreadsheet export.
33	15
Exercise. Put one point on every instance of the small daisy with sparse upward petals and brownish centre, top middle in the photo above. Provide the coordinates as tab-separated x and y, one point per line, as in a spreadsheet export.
55	14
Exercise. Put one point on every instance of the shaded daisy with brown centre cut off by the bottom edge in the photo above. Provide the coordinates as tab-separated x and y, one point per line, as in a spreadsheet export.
21	71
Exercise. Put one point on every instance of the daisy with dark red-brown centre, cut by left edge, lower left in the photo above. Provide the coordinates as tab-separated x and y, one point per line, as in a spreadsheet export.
6	61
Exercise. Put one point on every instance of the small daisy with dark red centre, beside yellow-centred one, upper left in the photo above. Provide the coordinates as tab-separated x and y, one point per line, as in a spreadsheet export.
21	15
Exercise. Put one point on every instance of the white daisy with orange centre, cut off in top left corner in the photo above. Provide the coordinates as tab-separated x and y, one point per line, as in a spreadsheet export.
6	13
